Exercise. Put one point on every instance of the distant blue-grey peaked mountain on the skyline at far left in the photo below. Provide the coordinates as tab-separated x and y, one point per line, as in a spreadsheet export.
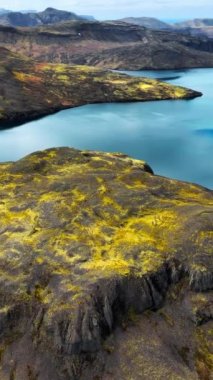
49	16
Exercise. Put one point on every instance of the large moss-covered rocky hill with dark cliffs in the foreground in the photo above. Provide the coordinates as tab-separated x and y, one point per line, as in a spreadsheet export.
106	270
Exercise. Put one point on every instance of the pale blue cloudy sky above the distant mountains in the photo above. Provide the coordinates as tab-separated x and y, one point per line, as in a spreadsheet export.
112	9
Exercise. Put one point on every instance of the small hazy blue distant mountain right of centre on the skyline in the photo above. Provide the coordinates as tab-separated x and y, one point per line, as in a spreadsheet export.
147	22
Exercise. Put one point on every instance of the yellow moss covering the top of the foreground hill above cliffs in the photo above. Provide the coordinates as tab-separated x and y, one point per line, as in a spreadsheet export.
95	229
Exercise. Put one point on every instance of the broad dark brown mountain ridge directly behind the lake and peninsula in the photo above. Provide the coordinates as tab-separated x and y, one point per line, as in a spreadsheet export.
115	45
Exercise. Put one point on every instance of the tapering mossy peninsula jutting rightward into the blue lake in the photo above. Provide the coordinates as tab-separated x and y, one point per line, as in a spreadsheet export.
30	90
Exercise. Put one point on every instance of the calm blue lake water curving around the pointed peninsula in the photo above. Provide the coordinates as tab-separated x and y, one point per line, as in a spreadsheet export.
174	137
